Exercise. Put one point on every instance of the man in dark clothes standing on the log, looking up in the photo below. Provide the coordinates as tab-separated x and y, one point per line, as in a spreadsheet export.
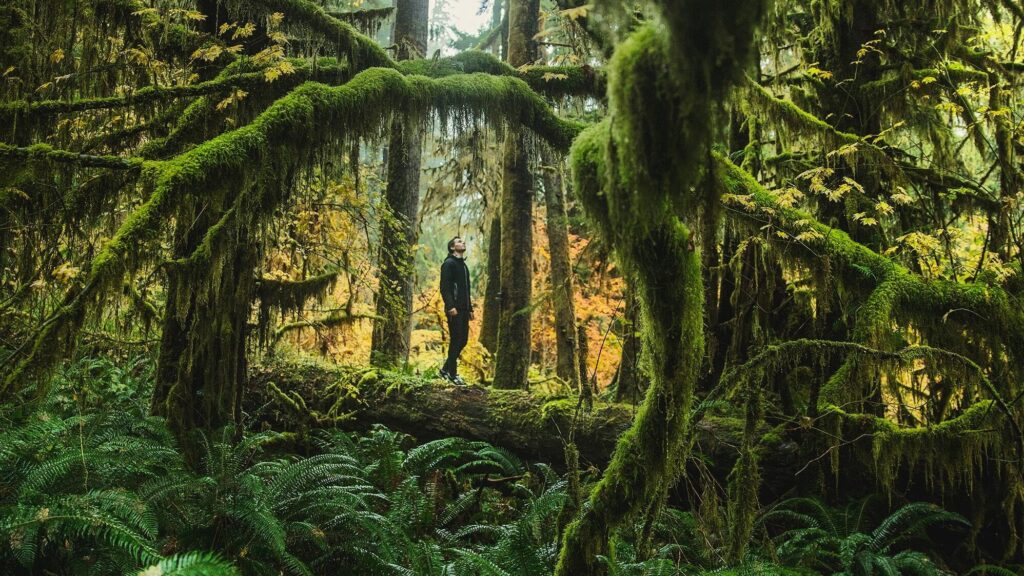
458	308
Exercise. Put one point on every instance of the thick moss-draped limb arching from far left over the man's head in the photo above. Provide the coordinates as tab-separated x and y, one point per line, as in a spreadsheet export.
295	126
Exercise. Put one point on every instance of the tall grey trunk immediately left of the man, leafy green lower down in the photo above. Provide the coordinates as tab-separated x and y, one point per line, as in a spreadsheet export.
390	344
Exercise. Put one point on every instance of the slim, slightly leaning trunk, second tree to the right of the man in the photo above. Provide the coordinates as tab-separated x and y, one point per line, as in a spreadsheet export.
563	293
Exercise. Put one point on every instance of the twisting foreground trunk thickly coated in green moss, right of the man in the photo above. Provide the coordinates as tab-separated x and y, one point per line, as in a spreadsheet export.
635	175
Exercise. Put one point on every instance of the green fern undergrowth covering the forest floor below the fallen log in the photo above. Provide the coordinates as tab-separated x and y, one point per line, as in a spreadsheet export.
93	485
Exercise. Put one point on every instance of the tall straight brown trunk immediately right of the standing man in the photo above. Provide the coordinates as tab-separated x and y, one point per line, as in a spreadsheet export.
518	231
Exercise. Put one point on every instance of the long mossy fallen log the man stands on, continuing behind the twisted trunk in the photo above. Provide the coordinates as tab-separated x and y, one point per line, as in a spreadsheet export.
300	396
